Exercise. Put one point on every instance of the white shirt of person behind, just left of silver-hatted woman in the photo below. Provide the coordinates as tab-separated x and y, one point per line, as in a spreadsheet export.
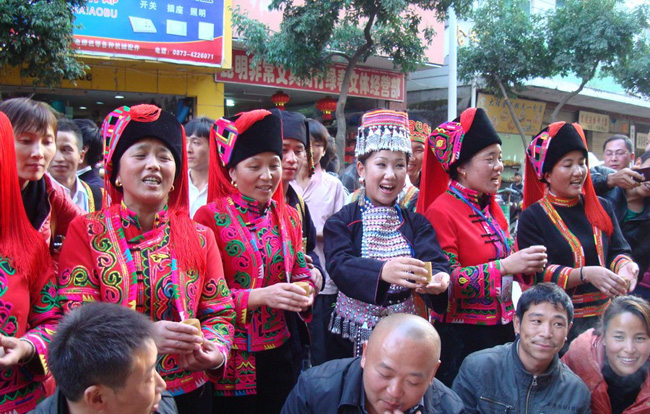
324	195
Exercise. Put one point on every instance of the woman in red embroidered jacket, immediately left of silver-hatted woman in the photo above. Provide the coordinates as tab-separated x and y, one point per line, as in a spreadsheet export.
260	239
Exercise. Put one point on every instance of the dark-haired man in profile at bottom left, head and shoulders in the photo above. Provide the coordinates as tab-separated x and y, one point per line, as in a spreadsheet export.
103	358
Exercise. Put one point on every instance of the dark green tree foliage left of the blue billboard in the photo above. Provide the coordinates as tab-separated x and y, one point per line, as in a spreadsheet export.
36	36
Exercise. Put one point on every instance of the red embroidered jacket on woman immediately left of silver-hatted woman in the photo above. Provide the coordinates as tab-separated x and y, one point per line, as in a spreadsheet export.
253	255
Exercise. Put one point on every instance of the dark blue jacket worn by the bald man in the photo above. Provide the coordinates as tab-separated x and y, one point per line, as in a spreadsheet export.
335	388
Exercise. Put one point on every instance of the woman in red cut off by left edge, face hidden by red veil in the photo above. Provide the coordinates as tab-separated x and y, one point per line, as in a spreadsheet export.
29	310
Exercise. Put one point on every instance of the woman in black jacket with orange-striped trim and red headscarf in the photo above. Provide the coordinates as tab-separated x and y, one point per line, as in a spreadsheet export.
587	253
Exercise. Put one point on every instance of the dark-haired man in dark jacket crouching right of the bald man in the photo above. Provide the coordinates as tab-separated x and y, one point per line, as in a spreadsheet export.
526	376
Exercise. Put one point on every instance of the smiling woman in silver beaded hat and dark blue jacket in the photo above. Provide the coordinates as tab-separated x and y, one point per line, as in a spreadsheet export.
376	249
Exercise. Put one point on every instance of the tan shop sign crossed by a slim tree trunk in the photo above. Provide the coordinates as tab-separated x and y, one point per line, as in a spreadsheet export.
529	113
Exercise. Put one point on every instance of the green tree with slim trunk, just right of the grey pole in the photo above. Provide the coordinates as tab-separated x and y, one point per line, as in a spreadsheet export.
508	48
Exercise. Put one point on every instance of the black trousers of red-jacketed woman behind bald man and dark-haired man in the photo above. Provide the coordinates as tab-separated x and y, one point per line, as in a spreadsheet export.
459	340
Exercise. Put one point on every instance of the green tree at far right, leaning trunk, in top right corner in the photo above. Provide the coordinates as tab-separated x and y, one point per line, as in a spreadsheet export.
588	37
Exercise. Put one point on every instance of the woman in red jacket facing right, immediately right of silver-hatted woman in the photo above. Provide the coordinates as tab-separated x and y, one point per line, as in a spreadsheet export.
473	232
